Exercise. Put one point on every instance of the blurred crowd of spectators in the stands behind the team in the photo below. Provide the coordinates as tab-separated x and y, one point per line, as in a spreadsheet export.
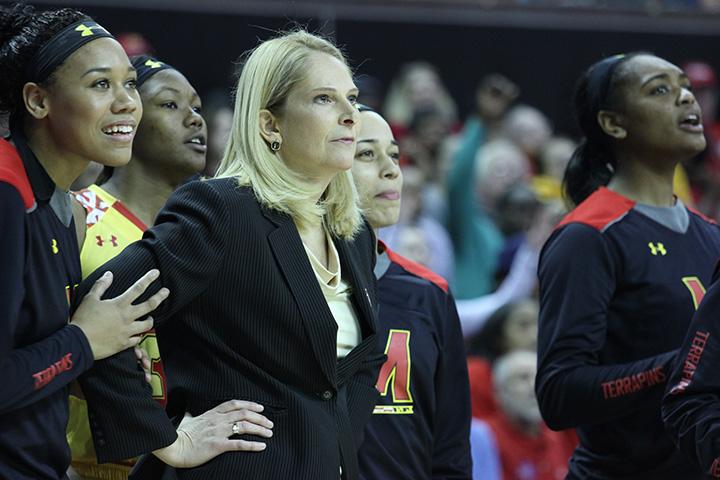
480	197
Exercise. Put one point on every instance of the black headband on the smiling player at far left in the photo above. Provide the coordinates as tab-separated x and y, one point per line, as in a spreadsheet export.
61	46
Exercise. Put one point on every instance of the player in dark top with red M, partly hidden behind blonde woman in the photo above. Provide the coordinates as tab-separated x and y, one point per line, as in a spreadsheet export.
420	428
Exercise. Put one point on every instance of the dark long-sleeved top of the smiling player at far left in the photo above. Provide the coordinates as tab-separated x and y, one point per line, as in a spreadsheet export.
40	354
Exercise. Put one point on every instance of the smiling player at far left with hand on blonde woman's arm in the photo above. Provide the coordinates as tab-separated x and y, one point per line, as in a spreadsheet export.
66	84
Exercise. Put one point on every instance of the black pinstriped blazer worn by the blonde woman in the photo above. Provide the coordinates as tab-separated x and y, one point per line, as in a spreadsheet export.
245	319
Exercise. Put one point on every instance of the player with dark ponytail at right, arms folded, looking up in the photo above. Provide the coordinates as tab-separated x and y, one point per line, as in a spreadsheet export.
622	274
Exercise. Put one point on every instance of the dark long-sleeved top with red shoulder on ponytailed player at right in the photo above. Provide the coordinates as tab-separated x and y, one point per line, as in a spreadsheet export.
618	286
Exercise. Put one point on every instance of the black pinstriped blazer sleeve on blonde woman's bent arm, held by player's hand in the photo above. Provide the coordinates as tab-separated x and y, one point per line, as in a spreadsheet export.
186	245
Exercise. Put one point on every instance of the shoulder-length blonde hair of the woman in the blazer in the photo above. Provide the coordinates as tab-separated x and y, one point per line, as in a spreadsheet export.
268	75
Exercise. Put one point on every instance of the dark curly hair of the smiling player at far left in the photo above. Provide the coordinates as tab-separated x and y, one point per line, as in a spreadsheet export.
23	31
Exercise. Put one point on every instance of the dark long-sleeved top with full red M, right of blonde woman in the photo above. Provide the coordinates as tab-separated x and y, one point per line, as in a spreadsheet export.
420	428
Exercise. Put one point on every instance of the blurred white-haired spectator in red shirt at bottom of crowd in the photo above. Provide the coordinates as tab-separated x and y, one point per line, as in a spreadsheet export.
526	448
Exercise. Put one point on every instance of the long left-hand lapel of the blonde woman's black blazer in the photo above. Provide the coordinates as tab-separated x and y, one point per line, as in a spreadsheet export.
293	262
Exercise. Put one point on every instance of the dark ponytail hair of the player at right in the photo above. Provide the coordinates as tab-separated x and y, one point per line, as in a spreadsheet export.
593	162
